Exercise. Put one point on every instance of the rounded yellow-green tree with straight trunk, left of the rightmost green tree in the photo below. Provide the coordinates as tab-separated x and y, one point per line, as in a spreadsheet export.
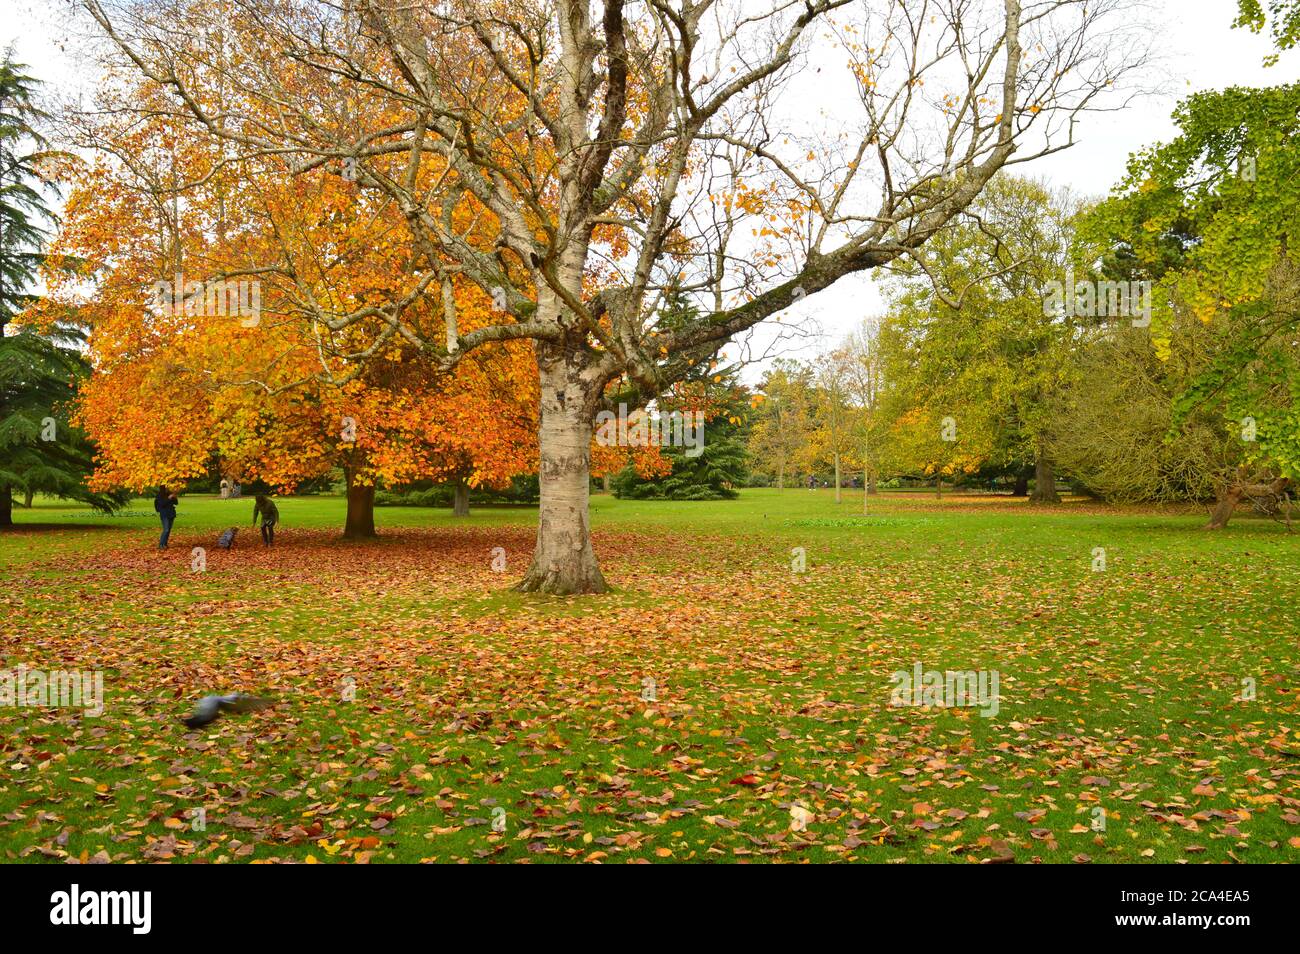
982	339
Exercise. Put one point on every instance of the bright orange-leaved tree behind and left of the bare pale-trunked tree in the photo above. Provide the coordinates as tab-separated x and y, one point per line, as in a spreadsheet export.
211	384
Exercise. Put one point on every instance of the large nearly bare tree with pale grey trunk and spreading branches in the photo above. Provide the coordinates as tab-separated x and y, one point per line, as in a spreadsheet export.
623	149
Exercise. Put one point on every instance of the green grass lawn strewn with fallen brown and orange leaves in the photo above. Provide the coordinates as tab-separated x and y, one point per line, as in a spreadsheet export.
419	699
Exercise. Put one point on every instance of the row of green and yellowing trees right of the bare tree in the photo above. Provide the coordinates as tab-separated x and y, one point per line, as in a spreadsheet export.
978	376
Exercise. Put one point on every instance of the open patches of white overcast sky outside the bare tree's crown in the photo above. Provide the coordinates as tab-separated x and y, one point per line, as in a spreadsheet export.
1198	47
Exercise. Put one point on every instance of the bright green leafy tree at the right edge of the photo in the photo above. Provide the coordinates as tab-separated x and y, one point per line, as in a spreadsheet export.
1211	219
